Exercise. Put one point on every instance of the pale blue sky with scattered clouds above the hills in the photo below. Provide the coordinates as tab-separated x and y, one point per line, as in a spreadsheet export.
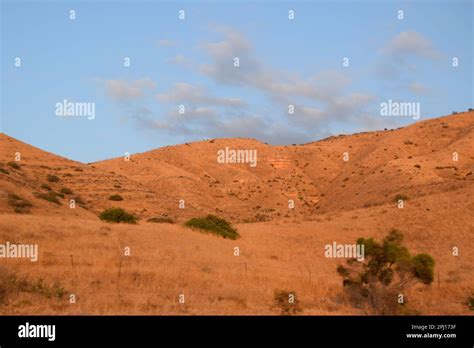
404	57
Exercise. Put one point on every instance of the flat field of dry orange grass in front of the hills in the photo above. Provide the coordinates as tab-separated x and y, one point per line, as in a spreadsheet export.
86	257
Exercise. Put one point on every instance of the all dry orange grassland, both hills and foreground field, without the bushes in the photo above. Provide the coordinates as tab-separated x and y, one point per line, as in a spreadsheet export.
85	256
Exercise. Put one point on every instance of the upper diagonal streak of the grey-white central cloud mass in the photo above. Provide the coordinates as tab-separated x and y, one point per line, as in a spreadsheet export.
326	88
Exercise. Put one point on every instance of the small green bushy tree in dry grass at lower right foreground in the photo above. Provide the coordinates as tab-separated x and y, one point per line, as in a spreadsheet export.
386	271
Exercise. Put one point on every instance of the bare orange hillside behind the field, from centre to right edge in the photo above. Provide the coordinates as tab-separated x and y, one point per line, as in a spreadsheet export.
412	161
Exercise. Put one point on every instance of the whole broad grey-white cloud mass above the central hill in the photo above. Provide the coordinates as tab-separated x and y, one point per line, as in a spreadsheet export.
320	99
